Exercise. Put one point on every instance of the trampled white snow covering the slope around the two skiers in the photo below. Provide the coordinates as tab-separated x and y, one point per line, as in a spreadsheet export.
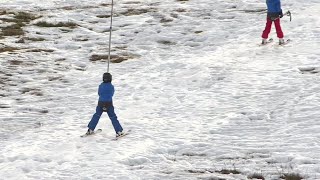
200	94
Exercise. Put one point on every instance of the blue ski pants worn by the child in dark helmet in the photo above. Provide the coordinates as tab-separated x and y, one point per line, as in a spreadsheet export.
112	115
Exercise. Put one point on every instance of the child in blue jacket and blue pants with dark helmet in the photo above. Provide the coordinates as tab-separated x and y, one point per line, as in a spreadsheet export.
106	91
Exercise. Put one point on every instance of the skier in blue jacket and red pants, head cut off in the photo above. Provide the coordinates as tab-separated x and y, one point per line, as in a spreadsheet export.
274	14
